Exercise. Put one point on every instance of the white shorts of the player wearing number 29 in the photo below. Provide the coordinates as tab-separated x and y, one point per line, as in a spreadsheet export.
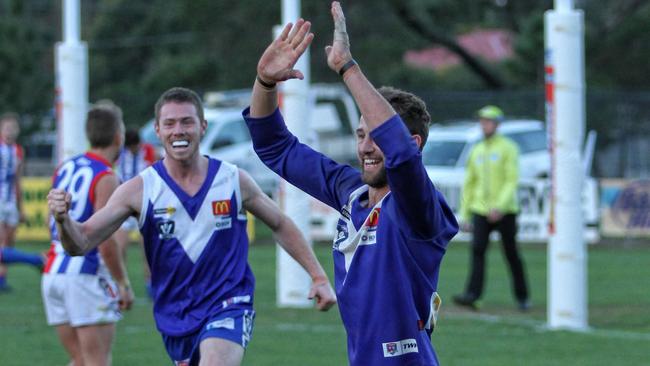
79	299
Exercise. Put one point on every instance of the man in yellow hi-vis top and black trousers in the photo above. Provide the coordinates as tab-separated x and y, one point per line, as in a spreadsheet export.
489	203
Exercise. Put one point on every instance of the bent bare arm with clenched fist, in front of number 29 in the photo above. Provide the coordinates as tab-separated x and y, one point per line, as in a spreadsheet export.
79	238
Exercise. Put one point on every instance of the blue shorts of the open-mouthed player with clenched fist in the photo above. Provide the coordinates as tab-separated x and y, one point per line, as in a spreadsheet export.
235	325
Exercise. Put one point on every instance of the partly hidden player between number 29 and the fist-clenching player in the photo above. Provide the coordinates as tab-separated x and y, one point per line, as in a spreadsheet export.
135	157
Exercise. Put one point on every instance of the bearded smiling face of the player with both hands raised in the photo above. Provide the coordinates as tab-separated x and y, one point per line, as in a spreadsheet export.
371	158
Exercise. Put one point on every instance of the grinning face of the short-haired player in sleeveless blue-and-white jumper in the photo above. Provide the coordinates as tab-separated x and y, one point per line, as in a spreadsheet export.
180	129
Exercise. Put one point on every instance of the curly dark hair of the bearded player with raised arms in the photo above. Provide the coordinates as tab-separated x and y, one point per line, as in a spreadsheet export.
411	109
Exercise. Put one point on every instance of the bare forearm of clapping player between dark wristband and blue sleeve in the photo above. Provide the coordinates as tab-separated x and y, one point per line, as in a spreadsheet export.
374	108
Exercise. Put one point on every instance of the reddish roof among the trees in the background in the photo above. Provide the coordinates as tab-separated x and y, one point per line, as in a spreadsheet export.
489	44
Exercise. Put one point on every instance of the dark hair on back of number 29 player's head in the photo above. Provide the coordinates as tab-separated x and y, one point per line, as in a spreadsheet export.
102	123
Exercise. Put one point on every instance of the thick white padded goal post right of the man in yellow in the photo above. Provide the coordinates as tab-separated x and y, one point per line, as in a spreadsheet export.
565	100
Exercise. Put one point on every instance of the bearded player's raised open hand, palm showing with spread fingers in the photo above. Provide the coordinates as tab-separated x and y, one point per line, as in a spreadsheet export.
278	60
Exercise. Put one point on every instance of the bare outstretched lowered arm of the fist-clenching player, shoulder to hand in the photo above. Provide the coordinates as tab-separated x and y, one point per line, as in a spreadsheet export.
289	237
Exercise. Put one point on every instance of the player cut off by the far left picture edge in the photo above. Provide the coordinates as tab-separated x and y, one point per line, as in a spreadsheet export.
11	170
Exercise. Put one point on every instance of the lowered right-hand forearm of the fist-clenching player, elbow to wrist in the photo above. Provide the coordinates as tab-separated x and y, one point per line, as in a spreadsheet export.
292	241
